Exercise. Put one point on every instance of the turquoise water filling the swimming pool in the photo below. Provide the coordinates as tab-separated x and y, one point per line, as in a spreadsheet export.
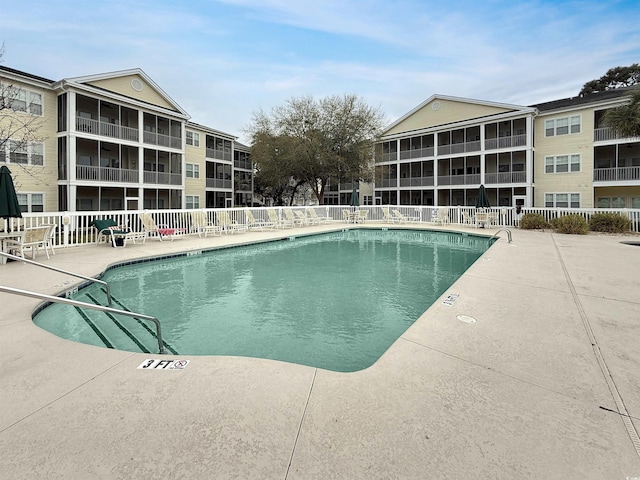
335	301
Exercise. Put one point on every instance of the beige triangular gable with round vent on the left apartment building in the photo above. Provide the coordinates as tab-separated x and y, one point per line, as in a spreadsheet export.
121	83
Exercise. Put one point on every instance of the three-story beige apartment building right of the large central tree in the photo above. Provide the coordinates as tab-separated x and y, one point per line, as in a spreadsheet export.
555	154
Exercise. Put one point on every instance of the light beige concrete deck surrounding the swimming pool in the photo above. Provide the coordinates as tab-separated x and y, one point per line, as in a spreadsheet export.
544	385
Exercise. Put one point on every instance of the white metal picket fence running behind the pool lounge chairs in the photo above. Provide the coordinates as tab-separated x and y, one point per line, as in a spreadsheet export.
75	228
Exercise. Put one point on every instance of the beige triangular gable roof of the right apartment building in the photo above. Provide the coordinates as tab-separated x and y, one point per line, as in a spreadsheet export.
447	110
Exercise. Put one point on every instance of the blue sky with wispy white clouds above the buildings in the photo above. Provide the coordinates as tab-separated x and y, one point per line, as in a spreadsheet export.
222	60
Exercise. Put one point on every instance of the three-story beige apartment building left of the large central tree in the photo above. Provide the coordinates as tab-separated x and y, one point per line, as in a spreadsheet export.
113	141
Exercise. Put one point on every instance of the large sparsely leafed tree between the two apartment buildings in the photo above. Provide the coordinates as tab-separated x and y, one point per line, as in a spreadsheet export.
312	143
